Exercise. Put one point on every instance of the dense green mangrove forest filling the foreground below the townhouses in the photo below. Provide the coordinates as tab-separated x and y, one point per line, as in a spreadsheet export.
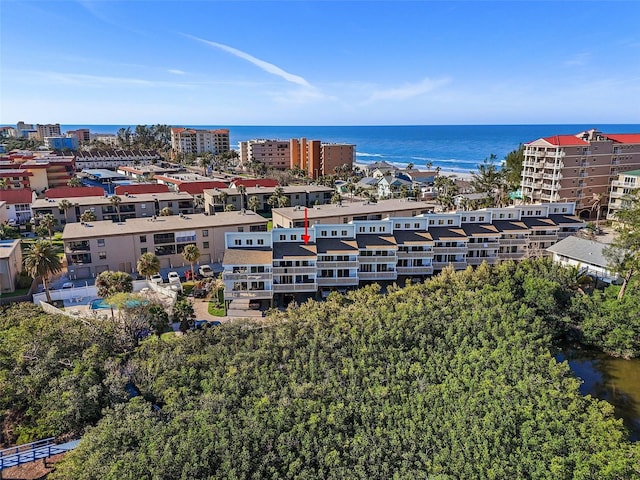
454	378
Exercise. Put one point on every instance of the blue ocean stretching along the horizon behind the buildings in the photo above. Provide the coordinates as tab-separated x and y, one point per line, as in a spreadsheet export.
455	148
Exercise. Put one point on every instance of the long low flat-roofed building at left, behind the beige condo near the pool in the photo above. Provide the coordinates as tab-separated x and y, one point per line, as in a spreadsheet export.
131	206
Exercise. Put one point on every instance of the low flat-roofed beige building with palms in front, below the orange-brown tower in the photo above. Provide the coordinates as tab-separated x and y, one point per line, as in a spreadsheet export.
303	195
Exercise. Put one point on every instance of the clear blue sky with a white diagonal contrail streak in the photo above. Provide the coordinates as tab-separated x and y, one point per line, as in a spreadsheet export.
319	63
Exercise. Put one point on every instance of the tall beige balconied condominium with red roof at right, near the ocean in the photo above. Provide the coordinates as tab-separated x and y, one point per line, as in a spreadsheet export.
577	168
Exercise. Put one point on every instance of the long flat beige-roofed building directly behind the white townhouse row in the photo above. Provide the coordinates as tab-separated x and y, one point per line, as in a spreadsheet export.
346	212
